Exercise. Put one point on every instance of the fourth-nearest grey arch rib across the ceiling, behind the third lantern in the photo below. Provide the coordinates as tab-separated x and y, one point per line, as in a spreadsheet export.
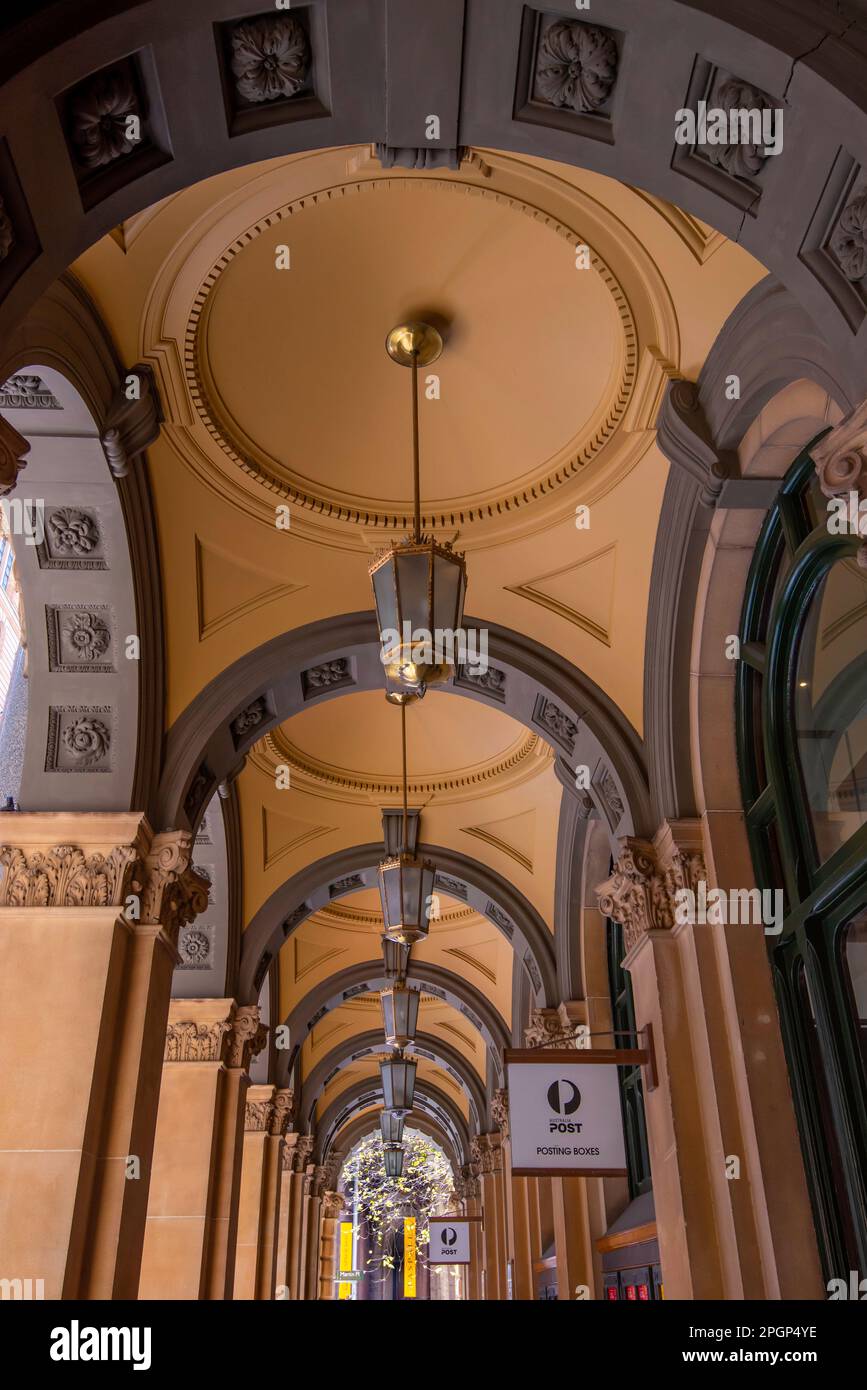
349	983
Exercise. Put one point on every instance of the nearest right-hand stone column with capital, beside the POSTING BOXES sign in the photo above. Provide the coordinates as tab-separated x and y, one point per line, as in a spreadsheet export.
676	983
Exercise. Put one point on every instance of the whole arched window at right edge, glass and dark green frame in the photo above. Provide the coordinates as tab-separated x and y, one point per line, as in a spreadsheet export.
802	747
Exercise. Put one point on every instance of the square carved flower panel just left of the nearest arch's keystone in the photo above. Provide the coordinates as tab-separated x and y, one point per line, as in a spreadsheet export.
273	69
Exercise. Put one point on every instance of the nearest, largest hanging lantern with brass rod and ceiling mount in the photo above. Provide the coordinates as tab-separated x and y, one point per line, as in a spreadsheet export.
419	584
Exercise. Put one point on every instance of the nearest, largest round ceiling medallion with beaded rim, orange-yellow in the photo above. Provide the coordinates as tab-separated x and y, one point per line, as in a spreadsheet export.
537	375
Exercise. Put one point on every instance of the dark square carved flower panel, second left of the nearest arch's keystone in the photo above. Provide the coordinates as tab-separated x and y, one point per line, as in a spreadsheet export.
115	127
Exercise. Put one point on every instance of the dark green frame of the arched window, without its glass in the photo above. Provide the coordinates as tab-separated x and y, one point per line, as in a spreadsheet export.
822	1035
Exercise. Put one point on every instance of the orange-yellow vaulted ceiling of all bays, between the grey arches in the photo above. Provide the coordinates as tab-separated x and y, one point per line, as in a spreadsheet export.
279	394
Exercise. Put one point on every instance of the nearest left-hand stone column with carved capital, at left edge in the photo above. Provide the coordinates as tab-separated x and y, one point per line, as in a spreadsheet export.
92	906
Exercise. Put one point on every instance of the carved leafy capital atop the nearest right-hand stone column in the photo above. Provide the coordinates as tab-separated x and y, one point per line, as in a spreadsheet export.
641	893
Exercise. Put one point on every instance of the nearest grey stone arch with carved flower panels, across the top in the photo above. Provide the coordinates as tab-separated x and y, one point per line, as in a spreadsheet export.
373	73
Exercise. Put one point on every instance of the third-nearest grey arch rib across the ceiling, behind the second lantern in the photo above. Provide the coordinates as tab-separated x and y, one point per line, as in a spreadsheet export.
315	888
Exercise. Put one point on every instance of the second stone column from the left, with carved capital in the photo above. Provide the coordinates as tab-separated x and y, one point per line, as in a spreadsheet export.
192	1211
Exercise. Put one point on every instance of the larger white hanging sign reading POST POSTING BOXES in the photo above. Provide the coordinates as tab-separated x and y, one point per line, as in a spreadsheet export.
565	1117
